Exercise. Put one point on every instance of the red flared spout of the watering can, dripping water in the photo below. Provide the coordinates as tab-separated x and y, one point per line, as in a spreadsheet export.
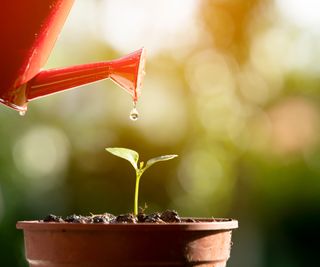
127	72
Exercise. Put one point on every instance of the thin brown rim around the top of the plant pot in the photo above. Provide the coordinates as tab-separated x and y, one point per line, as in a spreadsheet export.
202	224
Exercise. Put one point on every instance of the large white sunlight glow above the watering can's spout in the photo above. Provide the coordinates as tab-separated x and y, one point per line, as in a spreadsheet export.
153	24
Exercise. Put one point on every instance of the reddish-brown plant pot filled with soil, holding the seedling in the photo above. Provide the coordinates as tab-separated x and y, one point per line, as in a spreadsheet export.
205	243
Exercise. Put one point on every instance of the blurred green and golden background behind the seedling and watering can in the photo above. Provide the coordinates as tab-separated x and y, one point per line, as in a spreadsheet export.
232	86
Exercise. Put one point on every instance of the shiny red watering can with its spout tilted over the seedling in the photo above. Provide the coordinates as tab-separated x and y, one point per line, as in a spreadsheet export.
29	29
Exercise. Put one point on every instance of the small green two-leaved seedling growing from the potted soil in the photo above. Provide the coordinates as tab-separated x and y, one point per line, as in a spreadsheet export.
133	157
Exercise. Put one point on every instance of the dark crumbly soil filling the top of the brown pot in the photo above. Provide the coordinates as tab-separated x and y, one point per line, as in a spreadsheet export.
168	216
